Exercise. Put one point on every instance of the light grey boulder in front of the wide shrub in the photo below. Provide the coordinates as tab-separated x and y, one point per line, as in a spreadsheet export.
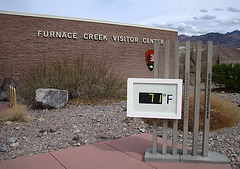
51	98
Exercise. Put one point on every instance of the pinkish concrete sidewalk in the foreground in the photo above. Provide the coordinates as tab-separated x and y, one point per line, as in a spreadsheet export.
124	153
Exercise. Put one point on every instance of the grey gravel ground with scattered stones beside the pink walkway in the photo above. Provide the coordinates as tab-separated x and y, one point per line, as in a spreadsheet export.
79	125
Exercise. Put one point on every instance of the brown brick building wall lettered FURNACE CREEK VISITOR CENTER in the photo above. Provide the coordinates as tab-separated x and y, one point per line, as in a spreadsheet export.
30	40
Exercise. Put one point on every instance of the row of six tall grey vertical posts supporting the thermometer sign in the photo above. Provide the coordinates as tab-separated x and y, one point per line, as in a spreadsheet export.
185	151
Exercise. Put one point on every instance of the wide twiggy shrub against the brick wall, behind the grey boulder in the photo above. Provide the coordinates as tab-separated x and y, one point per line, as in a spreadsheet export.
81	79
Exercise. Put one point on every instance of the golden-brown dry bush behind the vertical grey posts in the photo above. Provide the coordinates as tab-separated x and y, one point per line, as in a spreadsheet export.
223	113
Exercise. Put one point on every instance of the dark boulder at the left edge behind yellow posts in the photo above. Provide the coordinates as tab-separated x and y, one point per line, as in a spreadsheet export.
4	90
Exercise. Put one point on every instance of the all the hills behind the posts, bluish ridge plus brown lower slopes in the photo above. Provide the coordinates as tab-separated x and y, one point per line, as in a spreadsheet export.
226	49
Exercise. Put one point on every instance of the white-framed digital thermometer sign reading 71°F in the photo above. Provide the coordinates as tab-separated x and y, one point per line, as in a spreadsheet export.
154	98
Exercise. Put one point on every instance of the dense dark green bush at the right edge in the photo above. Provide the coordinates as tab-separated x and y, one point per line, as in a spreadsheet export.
227	75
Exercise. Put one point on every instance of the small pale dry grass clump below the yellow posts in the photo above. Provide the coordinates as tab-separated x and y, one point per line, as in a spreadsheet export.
17	113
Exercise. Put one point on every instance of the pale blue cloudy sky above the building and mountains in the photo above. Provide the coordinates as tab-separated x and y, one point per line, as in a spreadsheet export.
189	17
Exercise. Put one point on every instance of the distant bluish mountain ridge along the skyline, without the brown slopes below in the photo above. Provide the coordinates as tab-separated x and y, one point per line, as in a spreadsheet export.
231	39
